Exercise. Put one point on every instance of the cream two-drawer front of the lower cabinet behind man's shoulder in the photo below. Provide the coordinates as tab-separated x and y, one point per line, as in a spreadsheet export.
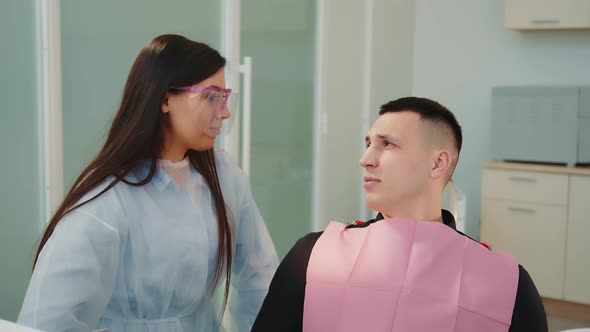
525	214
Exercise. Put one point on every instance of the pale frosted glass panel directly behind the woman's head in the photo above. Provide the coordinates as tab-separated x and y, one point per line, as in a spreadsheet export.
100	40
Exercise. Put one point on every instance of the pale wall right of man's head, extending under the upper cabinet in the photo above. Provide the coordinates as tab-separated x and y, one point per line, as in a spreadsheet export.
462	50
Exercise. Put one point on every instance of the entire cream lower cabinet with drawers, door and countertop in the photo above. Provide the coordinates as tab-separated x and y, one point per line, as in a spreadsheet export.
541	215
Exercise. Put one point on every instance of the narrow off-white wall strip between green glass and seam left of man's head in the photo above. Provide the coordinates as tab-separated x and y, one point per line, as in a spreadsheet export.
340	83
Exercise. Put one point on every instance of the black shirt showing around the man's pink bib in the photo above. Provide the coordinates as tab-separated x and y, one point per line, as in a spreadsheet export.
282	309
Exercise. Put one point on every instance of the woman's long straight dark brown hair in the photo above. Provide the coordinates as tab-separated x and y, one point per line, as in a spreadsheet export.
136	133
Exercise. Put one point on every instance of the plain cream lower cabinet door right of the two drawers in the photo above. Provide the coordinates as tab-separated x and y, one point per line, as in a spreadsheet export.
577	273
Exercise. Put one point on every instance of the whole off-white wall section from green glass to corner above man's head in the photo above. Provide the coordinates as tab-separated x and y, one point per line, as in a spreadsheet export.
341	80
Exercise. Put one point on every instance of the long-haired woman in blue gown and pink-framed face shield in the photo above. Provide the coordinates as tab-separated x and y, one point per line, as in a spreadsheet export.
159	219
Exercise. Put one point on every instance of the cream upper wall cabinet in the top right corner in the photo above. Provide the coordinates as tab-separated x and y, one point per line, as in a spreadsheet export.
546	14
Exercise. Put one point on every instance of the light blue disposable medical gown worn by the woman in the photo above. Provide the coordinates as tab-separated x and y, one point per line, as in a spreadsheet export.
143	259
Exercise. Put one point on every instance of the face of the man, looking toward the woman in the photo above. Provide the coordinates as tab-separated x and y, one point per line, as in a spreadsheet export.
398	161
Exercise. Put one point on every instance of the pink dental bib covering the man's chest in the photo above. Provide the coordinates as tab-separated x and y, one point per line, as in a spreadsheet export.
401	275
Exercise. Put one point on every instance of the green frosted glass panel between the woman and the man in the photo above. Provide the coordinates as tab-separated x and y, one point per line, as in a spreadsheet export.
280	38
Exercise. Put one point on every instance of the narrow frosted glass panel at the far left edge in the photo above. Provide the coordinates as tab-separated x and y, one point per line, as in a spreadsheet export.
20	200
